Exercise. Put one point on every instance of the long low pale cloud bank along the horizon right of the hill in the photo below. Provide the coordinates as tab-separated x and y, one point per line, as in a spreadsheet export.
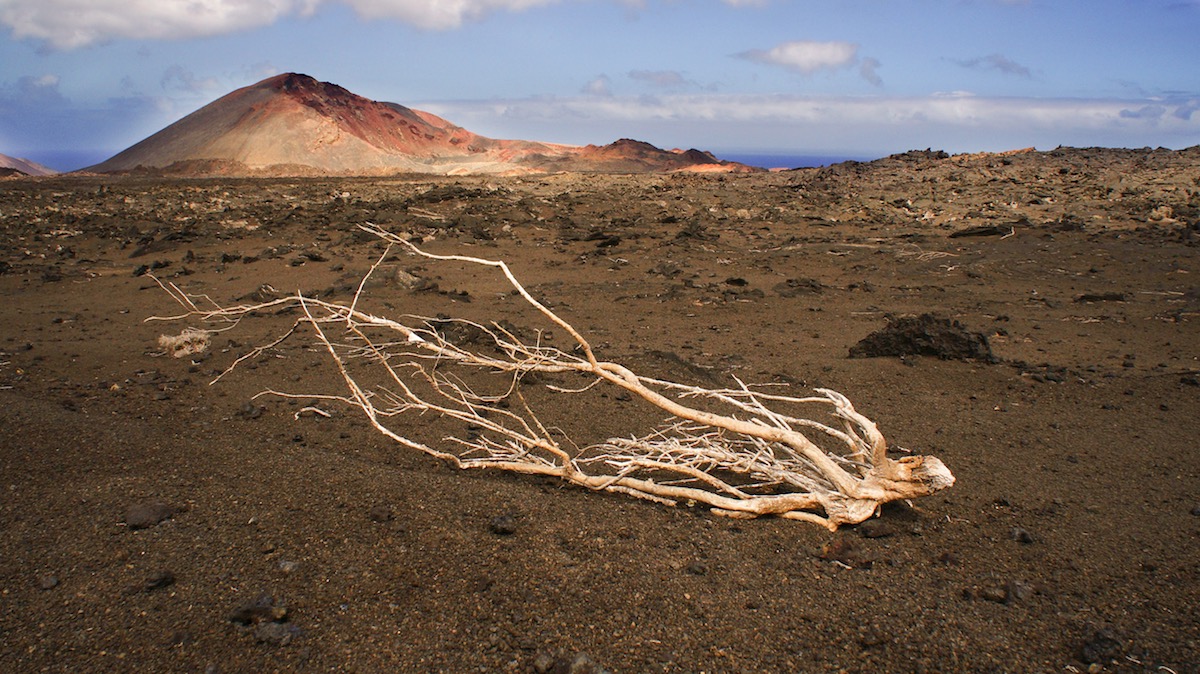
957	122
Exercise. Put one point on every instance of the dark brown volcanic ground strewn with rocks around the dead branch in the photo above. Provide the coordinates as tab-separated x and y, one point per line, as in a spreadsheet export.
154	523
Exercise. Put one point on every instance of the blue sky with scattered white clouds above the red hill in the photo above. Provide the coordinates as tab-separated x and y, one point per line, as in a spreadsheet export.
83	80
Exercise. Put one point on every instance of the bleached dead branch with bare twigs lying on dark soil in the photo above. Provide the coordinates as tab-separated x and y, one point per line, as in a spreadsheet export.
742	452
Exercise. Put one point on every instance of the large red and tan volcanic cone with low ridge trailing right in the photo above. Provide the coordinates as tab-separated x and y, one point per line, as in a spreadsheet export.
296	125
